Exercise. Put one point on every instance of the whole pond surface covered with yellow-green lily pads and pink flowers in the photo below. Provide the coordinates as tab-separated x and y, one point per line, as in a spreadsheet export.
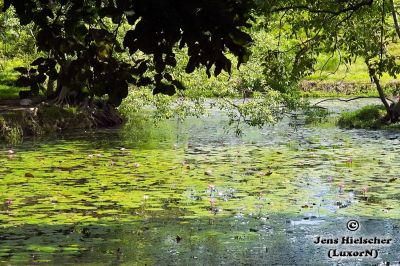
190	193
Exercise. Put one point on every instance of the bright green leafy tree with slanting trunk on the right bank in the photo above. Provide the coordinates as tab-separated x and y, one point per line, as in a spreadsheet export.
345	29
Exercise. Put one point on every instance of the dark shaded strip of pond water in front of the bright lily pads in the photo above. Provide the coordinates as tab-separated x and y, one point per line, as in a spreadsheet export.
275	240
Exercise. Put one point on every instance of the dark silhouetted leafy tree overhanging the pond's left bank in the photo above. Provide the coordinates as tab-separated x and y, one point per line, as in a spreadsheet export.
83	45
